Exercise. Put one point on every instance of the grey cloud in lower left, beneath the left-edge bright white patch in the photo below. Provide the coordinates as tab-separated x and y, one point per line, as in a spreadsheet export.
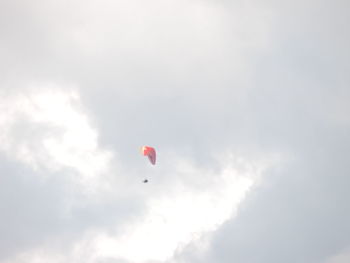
41	206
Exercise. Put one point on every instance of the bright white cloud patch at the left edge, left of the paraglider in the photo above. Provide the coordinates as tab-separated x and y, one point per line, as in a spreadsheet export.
46	128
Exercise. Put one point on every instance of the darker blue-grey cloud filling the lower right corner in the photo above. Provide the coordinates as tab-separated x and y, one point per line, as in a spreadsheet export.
301	217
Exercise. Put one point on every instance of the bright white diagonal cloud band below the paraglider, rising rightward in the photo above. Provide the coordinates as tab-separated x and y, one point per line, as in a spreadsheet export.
180	214
